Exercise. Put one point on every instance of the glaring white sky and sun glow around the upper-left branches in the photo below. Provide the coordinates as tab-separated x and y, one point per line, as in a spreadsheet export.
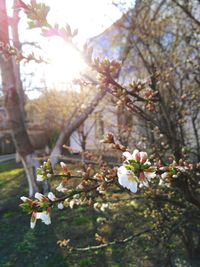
91	17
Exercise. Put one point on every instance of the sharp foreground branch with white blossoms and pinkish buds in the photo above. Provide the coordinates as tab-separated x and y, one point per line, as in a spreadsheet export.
136	172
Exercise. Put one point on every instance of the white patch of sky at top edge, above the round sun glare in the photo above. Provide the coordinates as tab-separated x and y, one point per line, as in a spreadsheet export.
91	17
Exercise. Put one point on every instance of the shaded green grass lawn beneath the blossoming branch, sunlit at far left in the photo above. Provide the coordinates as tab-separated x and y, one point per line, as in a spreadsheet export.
21	246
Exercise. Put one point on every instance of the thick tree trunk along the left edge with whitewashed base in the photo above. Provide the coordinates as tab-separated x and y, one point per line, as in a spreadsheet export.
12	105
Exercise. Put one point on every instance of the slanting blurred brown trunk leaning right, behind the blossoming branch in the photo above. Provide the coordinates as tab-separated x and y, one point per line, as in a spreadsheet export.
72	126
